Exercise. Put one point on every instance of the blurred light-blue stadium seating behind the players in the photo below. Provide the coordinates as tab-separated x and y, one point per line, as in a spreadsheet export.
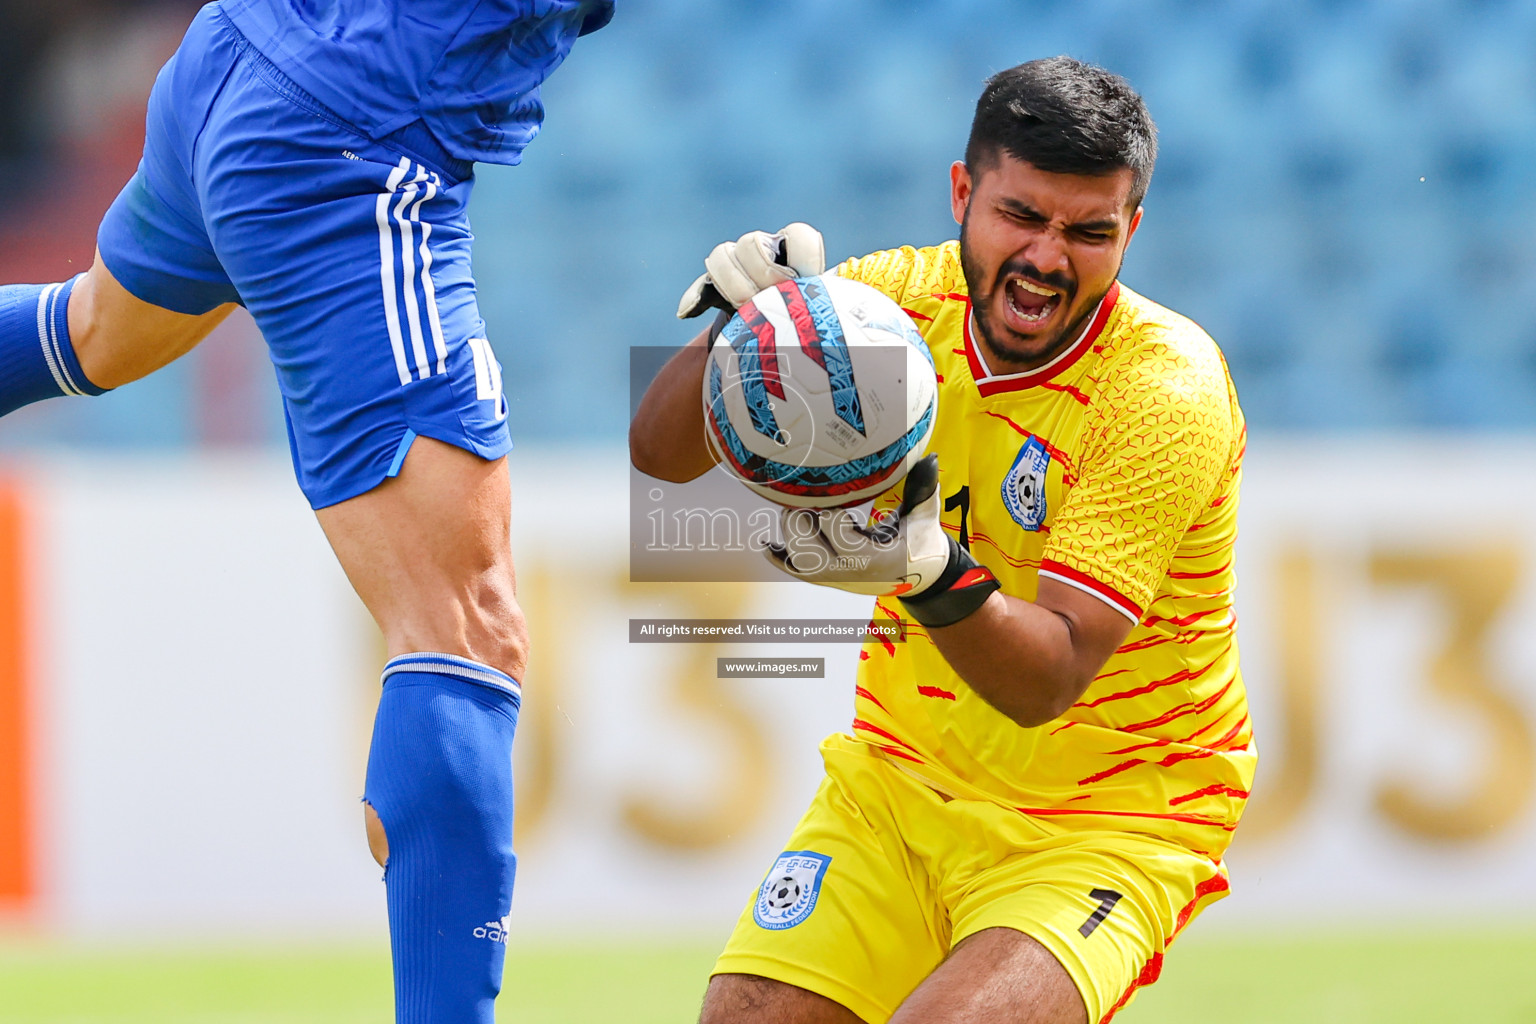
1345	196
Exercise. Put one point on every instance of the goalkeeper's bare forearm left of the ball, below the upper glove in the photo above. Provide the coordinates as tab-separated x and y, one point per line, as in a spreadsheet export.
667	434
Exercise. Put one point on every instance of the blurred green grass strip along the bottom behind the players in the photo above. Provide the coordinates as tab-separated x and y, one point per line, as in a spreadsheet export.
1408	977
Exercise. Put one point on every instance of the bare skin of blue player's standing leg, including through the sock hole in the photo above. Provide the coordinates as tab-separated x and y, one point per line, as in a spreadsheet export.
446	590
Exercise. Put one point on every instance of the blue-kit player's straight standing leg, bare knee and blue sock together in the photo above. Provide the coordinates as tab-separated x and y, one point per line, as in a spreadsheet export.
431	557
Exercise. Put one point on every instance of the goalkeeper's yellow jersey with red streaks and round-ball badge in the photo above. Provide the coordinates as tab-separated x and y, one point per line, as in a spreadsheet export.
1114	469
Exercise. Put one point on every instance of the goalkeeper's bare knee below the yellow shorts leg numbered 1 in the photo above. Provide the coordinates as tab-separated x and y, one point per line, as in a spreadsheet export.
996	977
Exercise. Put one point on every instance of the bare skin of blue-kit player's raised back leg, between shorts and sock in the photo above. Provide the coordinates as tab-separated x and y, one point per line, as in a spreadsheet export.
121	339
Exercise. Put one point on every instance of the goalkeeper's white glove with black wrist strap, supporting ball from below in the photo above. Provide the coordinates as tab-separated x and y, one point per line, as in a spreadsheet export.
905	555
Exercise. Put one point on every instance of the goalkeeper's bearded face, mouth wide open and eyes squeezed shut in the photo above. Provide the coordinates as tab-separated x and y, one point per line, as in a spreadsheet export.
1039	253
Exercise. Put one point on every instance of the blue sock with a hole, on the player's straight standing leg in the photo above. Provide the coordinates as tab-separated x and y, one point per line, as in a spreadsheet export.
440	779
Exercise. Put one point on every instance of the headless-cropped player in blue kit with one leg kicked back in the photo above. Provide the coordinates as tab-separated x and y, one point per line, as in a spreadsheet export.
311	160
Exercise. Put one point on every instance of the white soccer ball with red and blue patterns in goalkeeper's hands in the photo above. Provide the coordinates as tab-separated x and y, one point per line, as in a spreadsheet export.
819	394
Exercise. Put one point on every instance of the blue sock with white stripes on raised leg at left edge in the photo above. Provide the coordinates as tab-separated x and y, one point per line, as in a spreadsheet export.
36	357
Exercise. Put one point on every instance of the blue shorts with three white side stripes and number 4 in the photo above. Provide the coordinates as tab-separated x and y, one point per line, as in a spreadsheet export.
353	257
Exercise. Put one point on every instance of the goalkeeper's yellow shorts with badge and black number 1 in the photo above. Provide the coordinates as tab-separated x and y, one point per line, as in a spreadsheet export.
884	876
